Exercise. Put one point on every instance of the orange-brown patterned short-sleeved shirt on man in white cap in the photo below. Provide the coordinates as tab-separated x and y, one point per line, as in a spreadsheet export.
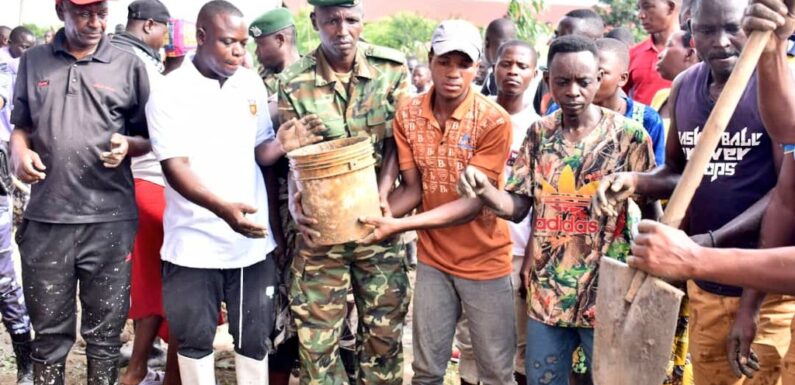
478	133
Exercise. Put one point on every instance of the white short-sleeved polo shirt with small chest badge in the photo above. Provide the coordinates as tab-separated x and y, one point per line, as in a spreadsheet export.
217	129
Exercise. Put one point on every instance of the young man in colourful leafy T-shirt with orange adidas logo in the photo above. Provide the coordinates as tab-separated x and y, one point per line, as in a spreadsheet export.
556	173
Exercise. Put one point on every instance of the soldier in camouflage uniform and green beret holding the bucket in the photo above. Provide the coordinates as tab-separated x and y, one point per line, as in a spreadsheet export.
354	88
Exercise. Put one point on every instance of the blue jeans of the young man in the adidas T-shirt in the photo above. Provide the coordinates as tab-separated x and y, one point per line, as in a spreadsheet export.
549	351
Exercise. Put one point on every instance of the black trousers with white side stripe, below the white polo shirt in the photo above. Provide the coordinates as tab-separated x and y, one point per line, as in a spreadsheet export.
192	299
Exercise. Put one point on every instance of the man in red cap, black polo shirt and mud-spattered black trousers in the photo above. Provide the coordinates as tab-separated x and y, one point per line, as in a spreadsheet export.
78	113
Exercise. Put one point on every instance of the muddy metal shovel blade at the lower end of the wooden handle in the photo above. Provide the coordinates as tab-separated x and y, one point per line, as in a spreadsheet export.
633	341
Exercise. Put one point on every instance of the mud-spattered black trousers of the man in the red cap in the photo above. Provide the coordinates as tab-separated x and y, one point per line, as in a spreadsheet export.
56	258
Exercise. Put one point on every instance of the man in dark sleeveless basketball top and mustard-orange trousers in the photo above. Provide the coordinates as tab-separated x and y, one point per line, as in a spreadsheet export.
728	207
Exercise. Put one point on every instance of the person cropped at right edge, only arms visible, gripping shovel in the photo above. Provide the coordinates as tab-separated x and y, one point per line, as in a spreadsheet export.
764	269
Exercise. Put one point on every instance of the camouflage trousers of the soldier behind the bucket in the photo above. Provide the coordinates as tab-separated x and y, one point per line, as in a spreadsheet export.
377	275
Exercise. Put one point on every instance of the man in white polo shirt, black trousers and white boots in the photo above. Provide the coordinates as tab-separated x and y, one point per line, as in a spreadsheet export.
209	128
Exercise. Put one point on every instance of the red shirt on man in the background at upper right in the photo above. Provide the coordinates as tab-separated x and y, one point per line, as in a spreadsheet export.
644	80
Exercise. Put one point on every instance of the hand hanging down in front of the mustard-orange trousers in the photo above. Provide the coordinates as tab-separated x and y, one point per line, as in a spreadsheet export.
743	360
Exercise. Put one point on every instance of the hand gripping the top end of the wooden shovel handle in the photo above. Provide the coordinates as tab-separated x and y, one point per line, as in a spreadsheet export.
777	16
